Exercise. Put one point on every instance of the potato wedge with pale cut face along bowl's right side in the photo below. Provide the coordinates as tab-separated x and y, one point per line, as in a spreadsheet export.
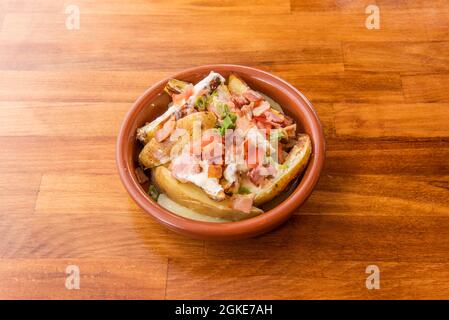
294	164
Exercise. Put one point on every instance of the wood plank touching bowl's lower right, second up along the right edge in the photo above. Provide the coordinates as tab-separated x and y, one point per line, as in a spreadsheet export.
342	238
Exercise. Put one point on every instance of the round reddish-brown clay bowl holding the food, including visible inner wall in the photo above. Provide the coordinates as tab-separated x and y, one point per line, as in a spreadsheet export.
153	102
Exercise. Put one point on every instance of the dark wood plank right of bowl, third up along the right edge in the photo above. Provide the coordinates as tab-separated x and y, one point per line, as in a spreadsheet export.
379	195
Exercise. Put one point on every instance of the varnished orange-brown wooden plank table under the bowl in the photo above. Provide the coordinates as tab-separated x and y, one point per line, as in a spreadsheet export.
382	96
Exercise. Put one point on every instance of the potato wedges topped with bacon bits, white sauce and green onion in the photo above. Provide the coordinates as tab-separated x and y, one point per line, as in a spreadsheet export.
221	151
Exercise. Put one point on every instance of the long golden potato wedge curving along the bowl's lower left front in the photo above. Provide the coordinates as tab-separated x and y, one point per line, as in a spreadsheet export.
195	198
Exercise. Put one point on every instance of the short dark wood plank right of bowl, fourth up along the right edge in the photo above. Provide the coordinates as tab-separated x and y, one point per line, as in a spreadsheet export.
390	156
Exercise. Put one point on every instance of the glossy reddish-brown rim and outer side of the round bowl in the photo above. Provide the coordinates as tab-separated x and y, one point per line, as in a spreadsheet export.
228	230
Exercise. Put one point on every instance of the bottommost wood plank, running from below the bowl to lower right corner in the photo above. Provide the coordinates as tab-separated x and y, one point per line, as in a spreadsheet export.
303	279
